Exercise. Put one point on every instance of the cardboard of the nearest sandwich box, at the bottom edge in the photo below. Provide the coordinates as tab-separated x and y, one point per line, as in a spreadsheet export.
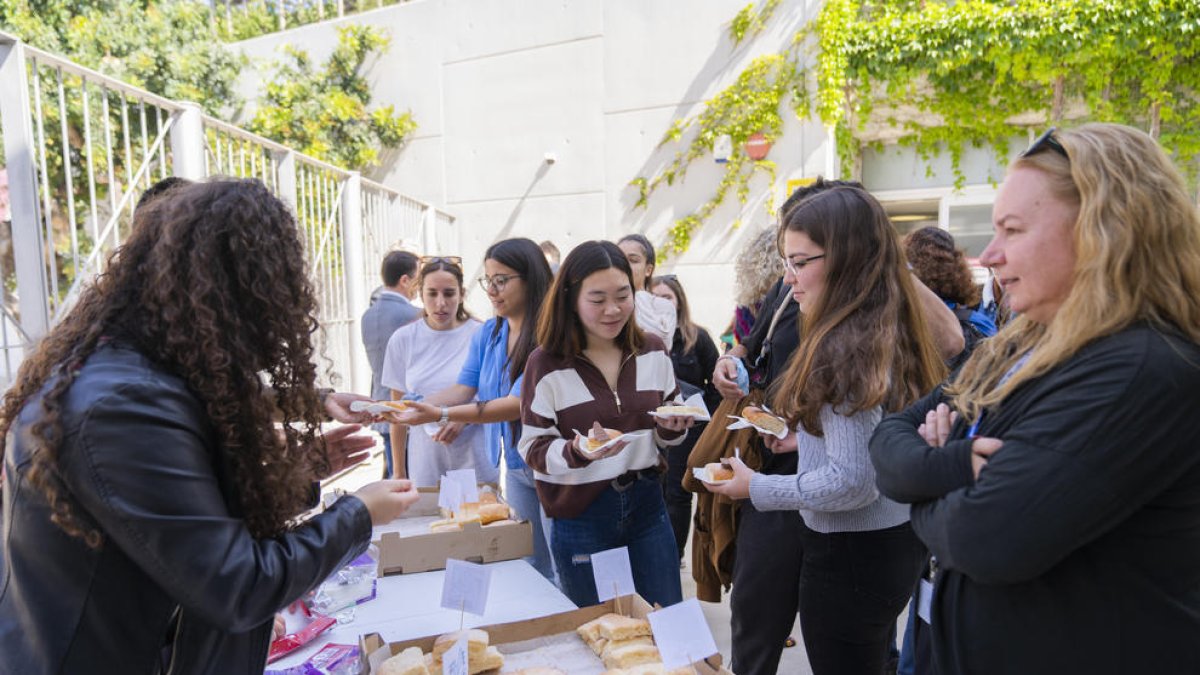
520	631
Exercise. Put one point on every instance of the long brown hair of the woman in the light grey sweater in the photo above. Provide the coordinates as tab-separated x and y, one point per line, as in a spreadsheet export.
866	343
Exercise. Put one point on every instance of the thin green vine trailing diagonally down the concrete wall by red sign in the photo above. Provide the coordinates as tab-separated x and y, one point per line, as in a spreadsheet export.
751	105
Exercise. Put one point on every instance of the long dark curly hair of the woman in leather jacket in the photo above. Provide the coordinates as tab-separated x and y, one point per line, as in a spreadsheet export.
212	286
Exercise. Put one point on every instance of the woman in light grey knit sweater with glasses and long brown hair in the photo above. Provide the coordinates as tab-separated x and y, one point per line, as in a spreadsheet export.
865	350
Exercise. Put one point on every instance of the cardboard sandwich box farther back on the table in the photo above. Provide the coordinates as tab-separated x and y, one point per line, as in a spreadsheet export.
423	553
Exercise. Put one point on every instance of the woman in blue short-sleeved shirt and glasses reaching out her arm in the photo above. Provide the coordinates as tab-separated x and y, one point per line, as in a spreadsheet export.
517	282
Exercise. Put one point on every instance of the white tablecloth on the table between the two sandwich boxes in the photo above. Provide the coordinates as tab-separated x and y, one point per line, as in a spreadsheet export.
410	606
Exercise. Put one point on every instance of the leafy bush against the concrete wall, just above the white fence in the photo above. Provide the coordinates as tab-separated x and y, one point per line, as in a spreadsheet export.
323	111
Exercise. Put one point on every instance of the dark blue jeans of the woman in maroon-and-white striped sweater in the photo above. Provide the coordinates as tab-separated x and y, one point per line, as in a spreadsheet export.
634	518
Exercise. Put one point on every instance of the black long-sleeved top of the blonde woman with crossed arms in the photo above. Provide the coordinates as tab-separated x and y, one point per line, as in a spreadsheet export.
1078	549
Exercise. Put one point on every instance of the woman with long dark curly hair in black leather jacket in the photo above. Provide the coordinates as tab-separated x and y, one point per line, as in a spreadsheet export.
151	513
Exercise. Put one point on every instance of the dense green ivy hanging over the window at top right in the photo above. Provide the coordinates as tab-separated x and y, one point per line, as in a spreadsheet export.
982	73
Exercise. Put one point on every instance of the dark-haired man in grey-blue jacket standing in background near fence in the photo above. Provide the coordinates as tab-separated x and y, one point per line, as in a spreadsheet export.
391	309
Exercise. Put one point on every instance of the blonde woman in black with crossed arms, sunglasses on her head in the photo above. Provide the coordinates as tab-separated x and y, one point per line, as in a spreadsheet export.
1057	480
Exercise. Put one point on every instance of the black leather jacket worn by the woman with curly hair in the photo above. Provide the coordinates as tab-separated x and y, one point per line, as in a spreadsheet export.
179	586
